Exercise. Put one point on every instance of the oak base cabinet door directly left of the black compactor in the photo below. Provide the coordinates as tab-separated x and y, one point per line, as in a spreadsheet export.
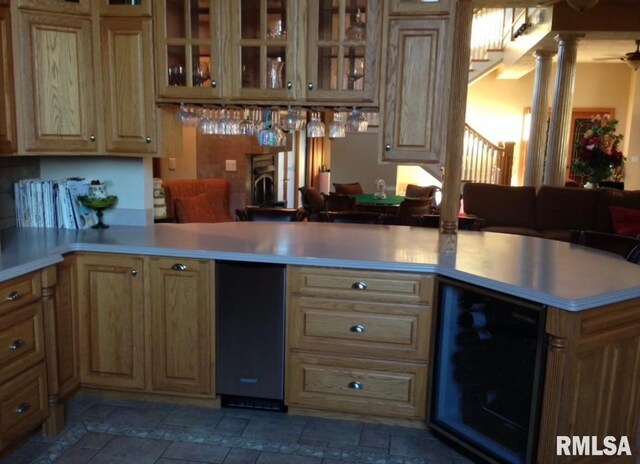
181	324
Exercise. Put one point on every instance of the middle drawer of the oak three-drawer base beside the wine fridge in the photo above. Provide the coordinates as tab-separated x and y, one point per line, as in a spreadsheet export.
378	330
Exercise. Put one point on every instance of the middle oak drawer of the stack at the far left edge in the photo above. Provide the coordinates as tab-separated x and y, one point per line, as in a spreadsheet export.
21	340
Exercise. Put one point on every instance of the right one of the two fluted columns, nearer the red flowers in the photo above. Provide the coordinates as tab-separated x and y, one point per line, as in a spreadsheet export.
559	129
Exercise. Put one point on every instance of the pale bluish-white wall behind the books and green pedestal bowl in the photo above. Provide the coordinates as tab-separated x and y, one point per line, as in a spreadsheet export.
130	179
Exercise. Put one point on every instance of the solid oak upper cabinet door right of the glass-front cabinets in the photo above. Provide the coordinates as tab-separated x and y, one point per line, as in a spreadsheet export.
415	95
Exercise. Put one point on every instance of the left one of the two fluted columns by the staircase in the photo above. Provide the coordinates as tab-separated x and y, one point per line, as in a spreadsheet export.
538	131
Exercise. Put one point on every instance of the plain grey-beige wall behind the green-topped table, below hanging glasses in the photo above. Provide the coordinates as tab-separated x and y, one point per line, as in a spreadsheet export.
355	159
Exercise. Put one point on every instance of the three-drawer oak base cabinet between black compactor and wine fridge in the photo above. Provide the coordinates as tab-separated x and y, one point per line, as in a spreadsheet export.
358	341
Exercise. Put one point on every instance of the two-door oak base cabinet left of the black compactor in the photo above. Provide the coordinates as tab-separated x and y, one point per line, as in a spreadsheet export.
146	324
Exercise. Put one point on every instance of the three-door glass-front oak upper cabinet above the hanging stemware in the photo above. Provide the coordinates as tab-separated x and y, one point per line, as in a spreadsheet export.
276	52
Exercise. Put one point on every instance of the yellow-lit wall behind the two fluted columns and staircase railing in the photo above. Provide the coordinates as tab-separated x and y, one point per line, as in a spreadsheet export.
495	108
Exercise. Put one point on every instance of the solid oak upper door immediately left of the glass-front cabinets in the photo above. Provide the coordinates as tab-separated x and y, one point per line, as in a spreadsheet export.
128	85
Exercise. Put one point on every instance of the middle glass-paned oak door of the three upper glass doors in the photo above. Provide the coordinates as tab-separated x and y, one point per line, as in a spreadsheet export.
263	54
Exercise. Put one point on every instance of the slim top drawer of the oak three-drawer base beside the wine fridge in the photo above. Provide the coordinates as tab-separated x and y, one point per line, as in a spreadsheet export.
361	285
